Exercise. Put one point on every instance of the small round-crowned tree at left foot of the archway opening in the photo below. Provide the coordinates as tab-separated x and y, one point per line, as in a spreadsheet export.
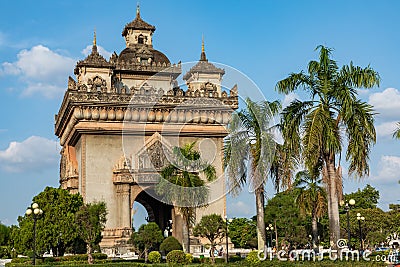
149	236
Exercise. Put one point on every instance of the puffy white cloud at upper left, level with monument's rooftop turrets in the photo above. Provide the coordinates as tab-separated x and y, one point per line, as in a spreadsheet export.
41	69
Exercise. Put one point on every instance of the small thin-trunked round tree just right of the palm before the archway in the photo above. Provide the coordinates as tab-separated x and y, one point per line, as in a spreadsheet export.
212	227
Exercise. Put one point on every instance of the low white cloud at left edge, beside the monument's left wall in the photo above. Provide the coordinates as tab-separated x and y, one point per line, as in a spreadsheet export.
33	154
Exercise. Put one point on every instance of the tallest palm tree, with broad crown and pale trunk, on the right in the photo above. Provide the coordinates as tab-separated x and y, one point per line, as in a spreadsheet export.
319	126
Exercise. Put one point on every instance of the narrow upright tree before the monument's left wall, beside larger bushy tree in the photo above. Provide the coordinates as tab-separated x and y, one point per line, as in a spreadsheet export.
91	220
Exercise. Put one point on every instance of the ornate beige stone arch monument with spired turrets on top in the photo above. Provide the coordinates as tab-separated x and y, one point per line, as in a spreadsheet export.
120	119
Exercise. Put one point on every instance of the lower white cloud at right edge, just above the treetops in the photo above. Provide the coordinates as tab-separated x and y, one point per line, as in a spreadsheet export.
389	170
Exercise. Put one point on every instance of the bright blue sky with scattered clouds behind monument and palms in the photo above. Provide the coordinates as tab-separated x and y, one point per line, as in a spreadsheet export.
40	42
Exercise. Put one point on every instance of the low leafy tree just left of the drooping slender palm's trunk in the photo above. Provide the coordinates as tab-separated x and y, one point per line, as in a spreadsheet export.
243	232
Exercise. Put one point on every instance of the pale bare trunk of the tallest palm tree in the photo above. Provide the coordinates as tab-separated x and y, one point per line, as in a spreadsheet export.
333	205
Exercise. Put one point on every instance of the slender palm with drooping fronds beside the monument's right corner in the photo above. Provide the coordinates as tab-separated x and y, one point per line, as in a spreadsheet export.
251	142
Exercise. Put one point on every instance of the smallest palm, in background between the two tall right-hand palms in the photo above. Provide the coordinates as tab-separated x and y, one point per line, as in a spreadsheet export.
311	199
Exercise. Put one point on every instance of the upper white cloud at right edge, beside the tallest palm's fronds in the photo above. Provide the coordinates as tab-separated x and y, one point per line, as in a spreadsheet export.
387	103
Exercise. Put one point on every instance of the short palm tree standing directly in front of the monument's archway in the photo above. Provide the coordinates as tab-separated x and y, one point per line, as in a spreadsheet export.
183	186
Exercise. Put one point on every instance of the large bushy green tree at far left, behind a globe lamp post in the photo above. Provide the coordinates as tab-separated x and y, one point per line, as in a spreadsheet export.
56	228
